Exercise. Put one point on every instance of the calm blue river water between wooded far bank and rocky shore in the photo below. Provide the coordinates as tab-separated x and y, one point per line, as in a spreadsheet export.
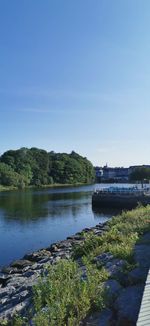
34	219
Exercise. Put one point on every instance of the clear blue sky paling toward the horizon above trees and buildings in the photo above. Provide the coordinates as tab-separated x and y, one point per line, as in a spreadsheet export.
75	75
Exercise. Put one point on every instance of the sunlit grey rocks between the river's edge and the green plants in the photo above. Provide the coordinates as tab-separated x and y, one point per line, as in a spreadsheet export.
16	280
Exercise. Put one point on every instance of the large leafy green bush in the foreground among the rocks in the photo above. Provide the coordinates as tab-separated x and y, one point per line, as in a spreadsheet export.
64	298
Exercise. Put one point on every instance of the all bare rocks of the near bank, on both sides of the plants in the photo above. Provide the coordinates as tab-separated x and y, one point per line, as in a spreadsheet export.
124	289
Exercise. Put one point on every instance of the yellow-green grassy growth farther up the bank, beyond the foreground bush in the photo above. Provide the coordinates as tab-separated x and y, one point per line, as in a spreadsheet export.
120	238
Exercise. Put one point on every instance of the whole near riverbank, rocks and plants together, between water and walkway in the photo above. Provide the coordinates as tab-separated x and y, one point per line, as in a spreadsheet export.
94	276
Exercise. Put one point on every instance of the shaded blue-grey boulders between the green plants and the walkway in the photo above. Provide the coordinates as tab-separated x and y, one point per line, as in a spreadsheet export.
124	289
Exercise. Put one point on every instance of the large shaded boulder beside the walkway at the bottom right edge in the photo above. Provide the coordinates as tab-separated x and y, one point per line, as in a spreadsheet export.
128	305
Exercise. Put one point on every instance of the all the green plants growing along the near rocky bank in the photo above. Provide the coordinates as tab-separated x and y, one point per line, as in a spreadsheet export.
63	297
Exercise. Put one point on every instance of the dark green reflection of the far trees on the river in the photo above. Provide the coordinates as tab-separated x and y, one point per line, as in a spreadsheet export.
26	206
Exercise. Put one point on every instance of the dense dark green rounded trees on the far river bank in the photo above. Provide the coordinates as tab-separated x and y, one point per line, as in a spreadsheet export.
37	167
